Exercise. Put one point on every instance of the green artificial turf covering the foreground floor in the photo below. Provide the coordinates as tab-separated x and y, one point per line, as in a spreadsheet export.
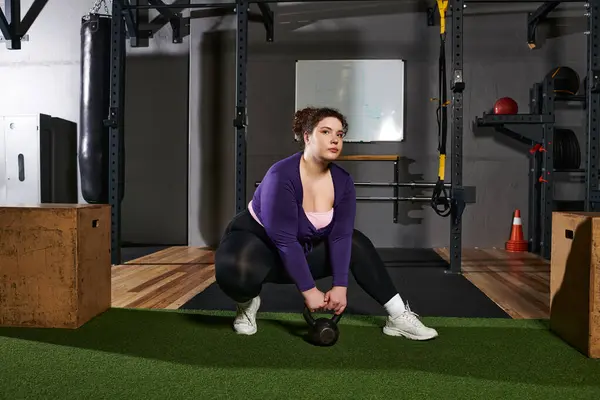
141	354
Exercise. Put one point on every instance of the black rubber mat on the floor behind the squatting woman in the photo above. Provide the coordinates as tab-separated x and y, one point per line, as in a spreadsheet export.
429	291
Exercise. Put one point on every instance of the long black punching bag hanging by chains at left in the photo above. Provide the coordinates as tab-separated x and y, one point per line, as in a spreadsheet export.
94	106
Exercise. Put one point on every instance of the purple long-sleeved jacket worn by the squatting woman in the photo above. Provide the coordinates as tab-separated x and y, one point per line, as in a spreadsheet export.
277	202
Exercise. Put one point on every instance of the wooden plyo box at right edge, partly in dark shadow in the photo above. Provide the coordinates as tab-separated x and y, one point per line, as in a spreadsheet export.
575	280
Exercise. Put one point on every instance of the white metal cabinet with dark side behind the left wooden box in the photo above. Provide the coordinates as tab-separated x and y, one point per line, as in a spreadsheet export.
38	160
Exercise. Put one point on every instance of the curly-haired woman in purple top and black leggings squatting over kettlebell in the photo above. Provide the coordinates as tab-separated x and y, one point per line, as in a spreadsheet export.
299	227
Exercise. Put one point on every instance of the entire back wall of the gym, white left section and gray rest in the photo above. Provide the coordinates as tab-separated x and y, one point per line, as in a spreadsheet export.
43	77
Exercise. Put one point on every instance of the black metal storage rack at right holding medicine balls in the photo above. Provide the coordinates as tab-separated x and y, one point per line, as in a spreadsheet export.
537	128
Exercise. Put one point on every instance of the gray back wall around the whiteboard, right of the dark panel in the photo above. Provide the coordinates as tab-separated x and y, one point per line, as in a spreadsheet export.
497	63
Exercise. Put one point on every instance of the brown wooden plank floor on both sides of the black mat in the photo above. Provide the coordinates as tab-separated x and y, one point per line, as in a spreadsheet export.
518	282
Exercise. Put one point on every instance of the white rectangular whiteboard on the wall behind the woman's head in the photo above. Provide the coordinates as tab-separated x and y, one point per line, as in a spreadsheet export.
370	93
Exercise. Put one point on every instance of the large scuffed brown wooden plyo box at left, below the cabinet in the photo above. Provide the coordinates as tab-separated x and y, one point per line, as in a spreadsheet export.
55	265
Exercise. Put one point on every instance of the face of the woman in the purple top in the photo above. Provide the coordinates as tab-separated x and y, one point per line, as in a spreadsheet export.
326	140
